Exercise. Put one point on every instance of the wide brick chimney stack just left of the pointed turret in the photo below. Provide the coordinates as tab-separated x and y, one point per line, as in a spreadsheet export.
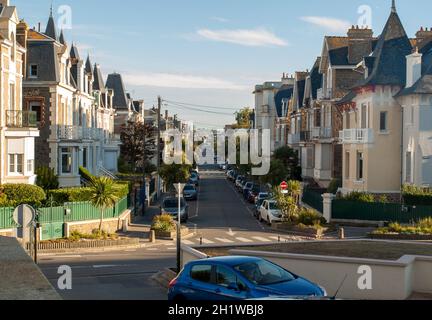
359	43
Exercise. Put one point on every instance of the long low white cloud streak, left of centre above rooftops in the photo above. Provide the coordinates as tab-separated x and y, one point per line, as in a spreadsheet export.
167	80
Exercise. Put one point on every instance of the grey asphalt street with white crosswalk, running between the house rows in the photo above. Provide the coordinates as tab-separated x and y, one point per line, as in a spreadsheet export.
220	216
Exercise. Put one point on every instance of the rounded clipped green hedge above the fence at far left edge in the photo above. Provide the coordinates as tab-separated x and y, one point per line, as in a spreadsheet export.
13	195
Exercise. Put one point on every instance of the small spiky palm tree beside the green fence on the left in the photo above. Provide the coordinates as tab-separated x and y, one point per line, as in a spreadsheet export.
103	196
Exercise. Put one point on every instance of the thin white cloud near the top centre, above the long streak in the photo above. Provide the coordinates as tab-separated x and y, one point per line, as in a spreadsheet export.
253	38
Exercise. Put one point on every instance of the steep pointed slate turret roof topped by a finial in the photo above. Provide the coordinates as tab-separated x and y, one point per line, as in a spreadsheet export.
389	63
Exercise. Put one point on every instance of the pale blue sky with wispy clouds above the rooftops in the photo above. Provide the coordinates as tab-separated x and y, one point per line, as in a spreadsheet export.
210	53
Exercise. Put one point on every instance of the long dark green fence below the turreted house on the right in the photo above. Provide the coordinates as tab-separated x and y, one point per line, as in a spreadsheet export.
349	210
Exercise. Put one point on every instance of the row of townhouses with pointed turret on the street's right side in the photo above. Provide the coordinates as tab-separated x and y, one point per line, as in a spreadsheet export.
362	114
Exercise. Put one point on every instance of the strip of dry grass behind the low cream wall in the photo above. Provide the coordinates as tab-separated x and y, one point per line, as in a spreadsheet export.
351	249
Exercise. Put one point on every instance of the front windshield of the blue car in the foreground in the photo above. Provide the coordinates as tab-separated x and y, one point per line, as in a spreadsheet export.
264	273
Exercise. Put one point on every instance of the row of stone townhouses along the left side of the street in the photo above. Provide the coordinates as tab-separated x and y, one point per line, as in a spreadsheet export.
56	109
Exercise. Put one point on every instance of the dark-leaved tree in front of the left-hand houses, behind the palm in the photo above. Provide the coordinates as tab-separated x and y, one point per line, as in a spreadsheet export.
132	147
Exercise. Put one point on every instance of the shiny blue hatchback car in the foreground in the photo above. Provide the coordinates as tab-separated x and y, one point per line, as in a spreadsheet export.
238	278
